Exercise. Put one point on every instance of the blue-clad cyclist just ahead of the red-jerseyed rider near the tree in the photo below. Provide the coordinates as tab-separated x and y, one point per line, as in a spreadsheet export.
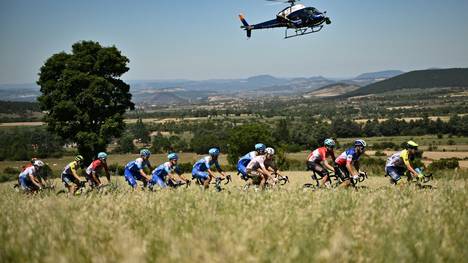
134	170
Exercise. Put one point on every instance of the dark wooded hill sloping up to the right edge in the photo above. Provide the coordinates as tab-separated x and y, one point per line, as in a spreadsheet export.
421	79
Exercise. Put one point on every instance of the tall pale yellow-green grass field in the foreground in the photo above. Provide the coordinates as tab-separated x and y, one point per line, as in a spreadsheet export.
377	224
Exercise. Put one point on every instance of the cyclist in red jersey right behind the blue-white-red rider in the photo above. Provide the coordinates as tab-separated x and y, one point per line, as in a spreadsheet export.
317	161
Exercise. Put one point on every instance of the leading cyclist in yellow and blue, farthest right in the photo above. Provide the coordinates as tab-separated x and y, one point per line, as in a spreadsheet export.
400	162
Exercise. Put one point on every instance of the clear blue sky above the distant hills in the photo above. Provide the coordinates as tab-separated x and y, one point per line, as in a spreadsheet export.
202	39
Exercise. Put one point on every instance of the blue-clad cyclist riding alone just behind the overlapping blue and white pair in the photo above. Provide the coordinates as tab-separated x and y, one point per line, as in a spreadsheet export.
202	168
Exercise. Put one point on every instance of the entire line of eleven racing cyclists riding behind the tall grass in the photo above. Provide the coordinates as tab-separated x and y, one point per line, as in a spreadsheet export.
256	168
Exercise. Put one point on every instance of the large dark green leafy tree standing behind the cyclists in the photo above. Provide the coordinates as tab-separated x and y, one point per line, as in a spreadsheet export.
84	97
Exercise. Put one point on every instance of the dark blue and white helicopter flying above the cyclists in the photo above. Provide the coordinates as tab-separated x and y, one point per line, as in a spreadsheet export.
299	19
